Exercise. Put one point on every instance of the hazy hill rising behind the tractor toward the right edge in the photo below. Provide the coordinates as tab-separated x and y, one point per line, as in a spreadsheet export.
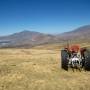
80	34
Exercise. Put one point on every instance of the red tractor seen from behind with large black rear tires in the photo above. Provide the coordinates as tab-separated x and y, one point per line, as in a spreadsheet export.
75	57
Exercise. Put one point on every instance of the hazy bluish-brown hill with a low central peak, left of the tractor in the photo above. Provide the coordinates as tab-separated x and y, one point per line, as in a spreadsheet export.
26	39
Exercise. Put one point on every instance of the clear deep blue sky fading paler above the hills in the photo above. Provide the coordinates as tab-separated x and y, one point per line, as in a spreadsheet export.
46	16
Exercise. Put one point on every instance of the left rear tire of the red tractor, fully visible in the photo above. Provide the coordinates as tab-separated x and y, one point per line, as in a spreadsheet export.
64	60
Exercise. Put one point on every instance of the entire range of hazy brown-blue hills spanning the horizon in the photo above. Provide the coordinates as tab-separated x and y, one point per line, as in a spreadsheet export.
31	38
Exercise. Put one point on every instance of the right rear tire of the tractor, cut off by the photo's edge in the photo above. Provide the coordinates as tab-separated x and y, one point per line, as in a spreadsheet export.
87	60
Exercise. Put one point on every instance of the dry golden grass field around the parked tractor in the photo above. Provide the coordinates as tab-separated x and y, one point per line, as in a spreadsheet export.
38	69
